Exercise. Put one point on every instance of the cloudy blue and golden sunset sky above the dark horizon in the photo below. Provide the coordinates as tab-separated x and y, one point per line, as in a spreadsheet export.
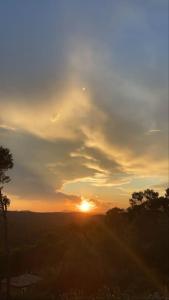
84	100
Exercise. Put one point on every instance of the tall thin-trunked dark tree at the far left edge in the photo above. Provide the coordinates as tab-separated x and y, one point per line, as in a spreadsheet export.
6	163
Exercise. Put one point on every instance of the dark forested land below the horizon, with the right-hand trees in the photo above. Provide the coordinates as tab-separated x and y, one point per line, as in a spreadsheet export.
125	249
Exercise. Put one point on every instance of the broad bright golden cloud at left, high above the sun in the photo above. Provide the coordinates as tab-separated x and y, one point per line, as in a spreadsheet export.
52	119
